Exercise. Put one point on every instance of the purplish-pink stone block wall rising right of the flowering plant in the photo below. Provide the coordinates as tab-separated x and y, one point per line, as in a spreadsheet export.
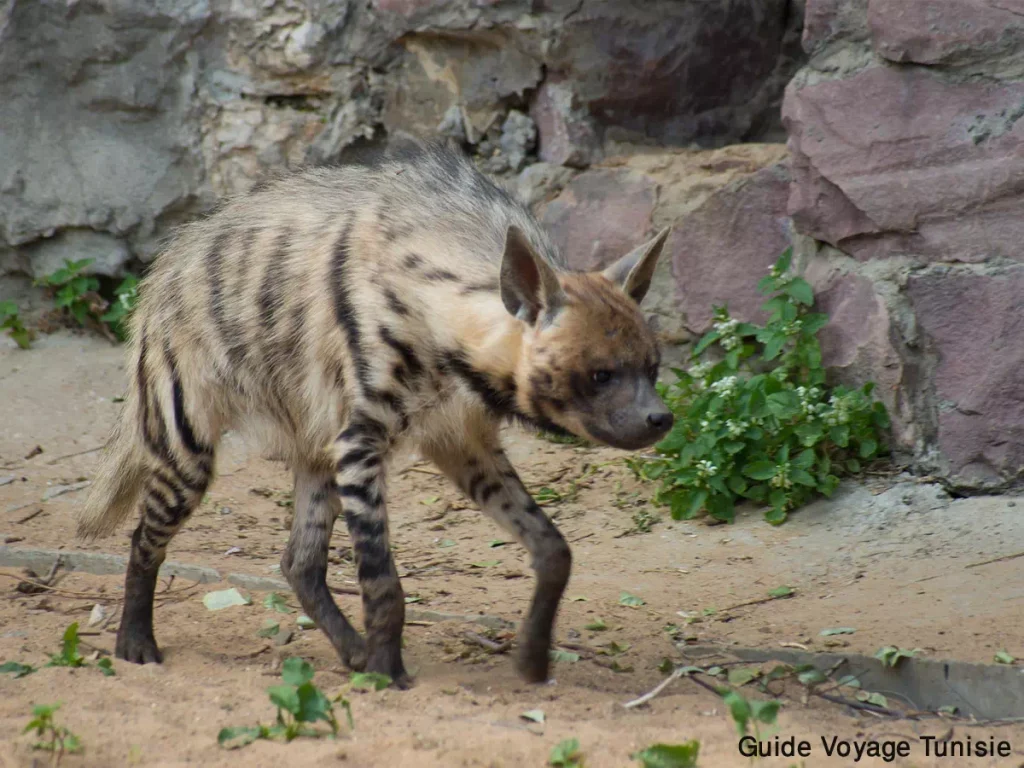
909	175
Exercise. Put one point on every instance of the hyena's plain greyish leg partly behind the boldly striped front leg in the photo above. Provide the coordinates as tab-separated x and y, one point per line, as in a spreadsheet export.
305	564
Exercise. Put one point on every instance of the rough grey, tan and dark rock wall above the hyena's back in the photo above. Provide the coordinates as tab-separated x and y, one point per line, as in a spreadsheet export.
120	118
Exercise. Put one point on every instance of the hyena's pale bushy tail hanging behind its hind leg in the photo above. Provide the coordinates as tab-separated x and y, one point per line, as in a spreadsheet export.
119	483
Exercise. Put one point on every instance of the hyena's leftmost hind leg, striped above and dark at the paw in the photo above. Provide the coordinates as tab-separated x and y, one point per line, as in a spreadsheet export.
172	496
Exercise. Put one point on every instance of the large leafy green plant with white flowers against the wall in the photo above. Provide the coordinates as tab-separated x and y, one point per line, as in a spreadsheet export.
755	418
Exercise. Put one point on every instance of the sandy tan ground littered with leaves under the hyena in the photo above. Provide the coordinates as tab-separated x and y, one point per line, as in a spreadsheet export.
888	558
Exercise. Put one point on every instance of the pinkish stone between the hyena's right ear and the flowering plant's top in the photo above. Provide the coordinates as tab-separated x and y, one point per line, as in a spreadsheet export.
722	249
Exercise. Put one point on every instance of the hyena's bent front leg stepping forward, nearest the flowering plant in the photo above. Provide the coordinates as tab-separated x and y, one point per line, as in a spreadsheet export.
487	477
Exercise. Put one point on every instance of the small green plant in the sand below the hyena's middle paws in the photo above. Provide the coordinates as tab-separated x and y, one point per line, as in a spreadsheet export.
301	705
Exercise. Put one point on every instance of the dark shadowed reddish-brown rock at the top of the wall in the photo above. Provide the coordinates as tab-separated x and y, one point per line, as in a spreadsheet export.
657	69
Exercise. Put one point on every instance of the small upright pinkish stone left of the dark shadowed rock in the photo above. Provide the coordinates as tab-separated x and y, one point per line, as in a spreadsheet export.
567	133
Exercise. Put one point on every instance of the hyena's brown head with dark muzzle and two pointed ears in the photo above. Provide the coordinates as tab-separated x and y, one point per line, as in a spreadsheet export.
589	360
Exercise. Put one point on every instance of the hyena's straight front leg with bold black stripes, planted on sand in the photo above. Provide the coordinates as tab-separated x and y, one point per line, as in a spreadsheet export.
362	449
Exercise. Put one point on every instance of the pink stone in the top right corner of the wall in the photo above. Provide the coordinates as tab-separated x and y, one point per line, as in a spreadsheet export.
938	31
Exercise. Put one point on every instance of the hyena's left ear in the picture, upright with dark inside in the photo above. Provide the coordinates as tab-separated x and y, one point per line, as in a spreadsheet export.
530	287
